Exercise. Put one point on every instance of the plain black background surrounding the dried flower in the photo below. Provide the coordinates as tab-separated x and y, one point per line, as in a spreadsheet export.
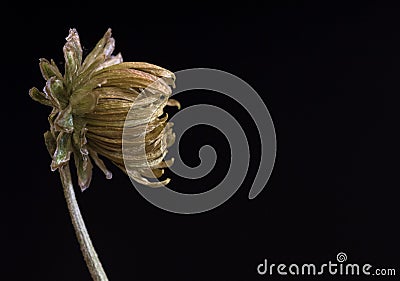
329	77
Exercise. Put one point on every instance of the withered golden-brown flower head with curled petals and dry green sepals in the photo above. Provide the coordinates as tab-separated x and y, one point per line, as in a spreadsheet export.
90	103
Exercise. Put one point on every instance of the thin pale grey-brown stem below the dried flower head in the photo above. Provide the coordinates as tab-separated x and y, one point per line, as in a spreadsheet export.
92	261
